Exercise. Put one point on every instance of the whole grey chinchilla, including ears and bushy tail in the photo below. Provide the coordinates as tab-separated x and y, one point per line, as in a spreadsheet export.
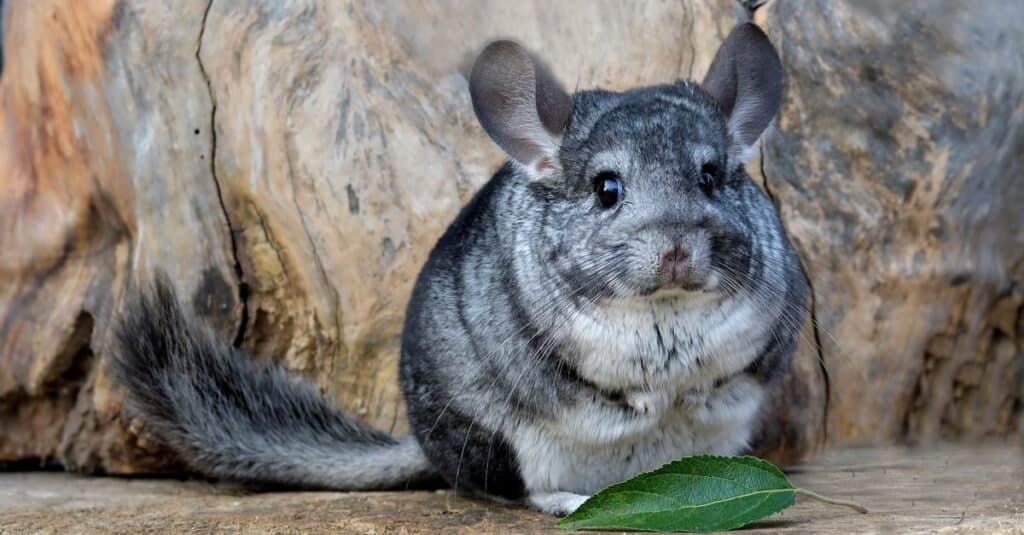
619	296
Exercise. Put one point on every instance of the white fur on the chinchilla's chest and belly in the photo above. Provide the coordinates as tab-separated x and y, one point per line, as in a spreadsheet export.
595	443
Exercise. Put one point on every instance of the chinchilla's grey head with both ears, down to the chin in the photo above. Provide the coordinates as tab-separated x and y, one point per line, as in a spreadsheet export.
643	192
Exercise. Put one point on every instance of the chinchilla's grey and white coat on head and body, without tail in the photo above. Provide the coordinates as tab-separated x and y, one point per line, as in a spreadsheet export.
541	318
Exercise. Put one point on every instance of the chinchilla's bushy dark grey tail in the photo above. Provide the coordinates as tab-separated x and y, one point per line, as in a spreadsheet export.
228	417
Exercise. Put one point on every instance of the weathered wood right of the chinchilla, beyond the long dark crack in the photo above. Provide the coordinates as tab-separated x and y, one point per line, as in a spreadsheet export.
899	164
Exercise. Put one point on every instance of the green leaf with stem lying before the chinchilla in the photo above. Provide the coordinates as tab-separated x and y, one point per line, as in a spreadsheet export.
703	493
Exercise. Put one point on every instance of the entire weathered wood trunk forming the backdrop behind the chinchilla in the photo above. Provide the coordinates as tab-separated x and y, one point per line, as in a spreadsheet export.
290	163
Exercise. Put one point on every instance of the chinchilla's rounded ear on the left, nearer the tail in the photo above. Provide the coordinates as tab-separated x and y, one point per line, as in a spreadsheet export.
521	106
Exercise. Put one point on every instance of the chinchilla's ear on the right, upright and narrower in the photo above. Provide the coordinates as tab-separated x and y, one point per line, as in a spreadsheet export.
746	78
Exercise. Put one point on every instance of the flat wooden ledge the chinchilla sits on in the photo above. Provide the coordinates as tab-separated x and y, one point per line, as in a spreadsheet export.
942	489
